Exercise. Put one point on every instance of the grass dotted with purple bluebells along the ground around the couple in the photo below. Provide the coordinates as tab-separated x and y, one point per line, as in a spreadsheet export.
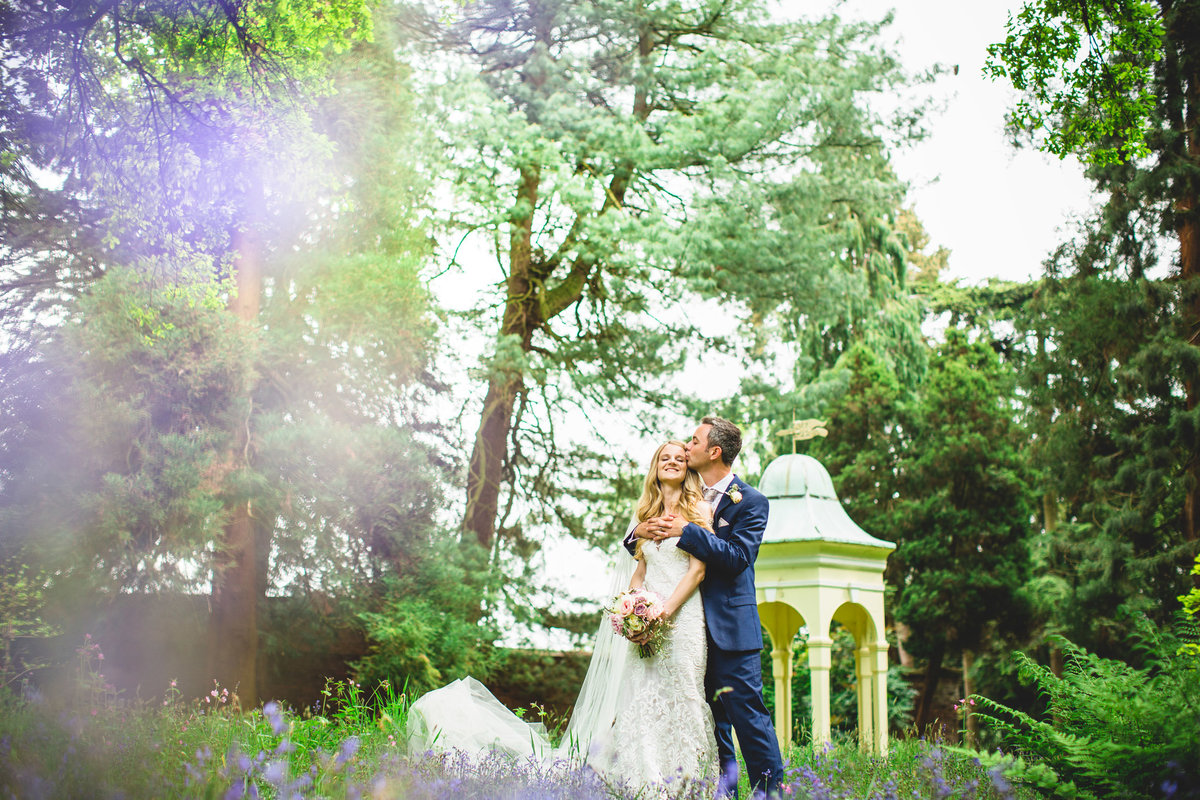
352	745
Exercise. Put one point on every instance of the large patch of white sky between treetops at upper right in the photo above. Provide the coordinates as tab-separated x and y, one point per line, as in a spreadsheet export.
999	210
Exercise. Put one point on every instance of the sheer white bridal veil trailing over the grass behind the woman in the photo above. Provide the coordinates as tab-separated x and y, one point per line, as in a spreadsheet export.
464	715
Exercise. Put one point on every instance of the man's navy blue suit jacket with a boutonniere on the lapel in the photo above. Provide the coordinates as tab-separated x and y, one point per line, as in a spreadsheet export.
729	554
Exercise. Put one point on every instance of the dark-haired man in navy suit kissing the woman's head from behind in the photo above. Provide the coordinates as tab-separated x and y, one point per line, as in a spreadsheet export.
734	681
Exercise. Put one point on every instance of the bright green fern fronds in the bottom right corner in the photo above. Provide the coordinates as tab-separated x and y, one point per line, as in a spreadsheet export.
1112	730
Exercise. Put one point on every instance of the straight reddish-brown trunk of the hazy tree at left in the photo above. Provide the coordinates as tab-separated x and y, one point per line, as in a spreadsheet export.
237	575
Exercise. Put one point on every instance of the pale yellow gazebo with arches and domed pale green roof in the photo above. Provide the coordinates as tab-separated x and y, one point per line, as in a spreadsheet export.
815	568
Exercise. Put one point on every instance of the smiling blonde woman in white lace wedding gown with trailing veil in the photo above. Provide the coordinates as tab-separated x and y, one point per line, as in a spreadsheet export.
643	721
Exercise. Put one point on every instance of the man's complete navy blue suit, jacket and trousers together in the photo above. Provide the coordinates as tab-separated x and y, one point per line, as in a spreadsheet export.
734	679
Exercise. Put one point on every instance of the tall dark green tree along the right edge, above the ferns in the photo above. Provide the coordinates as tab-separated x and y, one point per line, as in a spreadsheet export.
1114	363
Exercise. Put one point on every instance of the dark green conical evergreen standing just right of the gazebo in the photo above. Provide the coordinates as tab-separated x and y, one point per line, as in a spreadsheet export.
963	516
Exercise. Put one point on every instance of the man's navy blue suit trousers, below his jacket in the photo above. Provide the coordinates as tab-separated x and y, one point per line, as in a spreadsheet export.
734	685
